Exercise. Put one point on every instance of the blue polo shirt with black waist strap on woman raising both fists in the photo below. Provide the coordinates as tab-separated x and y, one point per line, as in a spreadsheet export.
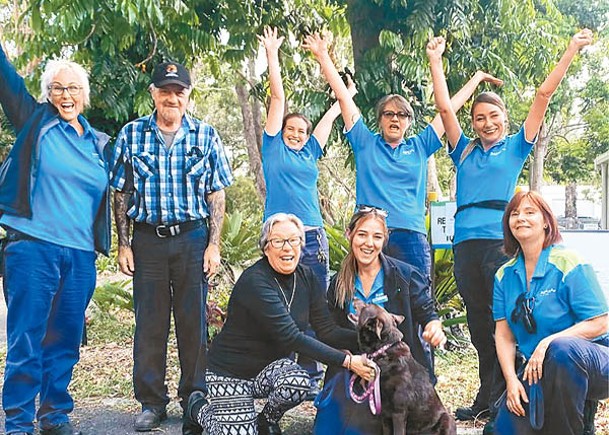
486	175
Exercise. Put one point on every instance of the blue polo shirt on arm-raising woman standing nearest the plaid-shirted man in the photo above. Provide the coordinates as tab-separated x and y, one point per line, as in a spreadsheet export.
291	179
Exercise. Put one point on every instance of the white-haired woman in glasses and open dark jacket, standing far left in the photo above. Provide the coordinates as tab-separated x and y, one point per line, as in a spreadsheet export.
55	210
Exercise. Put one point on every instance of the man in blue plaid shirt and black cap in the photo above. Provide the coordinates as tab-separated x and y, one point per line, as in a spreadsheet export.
169	171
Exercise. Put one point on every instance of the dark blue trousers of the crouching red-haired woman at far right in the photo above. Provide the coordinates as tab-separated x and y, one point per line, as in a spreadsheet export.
574	370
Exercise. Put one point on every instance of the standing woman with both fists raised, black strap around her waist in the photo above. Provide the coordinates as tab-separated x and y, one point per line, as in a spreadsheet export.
487	171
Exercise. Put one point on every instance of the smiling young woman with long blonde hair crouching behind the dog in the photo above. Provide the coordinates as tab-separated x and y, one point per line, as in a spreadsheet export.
367	276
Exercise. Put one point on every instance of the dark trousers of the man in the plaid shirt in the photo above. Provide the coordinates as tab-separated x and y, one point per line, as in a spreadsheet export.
169	275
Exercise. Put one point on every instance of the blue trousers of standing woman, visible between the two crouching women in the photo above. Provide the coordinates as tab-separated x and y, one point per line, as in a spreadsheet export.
316	255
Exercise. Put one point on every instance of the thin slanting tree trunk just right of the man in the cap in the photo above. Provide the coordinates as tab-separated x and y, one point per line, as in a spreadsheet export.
252	131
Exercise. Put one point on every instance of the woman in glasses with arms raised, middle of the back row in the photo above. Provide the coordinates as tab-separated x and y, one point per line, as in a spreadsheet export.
391	170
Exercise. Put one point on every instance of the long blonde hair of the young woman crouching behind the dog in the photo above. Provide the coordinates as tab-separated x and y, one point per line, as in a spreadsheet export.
345	279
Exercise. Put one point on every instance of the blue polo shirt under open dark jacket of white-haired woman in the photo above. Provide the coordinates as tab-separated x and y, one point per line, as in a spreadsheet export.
68	188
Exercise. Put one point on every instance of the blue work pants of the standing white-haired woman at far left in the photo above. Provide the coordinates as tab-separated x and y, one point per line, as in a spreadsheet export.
47	288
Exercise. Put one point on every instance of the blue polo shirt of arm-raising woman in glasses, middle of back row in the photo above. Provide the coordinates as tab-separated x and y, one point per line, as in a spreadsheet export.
393	178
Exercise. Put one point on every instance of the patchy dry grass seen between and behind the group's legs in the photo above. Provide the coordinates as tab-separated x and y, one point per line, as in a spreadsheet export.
102	378
